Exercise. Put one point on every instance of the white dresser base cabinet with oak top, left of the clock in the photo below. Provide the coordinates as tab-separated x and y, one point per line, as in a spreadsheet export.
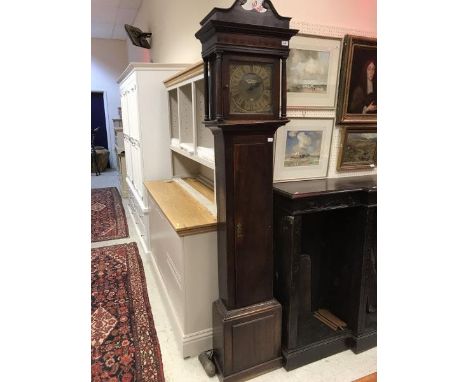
183	236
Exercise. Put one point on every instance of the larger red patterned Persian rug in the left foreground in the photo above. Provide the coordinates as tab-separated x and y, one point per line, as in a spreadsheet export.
124	343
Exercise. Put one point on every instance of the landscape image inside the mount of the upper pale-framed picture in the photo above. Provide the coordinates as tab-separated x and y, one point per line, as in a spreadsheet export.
307	71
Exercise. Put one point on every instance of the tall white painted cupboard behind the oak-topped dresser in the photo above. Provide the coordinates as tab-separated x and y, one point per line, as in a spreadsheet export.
145	119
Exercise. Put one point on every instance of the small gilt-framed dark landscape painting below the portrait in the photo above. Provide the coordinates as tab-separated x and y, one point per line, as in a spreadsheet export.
358	149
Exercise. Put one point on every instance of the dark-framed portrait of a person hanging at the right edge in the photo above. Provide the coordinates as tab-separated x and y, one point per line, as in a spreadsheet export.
357	94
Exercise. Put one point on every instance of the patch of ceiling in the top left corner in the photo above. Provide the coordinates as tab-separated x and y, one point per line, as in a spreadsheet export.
109	16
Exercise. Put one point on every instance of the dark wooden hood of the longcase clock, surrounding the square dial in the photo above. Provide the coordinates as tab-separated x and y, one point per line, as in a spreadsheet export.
234	34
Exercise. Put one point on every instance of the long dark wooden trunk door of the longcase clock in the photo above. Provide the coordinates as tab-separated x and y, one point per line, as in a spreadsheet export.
252	219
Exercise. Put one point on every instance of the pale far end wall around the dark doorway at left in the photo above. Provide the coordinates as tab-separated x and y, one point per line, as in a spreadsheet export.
109	58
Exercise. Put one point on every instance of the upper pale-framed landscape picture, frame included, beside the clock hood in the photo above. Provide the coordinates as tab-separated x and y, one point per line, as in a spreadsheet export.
312	72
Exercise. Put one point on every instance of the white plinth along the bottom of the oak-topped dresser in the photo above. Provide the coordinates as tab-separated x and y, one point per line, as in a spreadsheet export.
192	344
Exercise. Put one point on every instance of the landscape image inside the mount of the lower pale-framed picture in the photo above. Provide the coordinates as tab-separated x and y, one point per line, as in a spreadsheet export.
302	148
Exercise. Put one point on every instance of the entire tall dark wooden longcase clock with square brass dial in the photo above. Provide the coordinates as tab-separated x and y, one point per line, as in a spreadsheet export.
244	49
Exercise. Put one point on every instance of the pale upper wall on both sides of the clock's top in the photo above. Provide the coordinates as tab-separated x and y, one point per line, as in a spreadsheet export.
174	23
